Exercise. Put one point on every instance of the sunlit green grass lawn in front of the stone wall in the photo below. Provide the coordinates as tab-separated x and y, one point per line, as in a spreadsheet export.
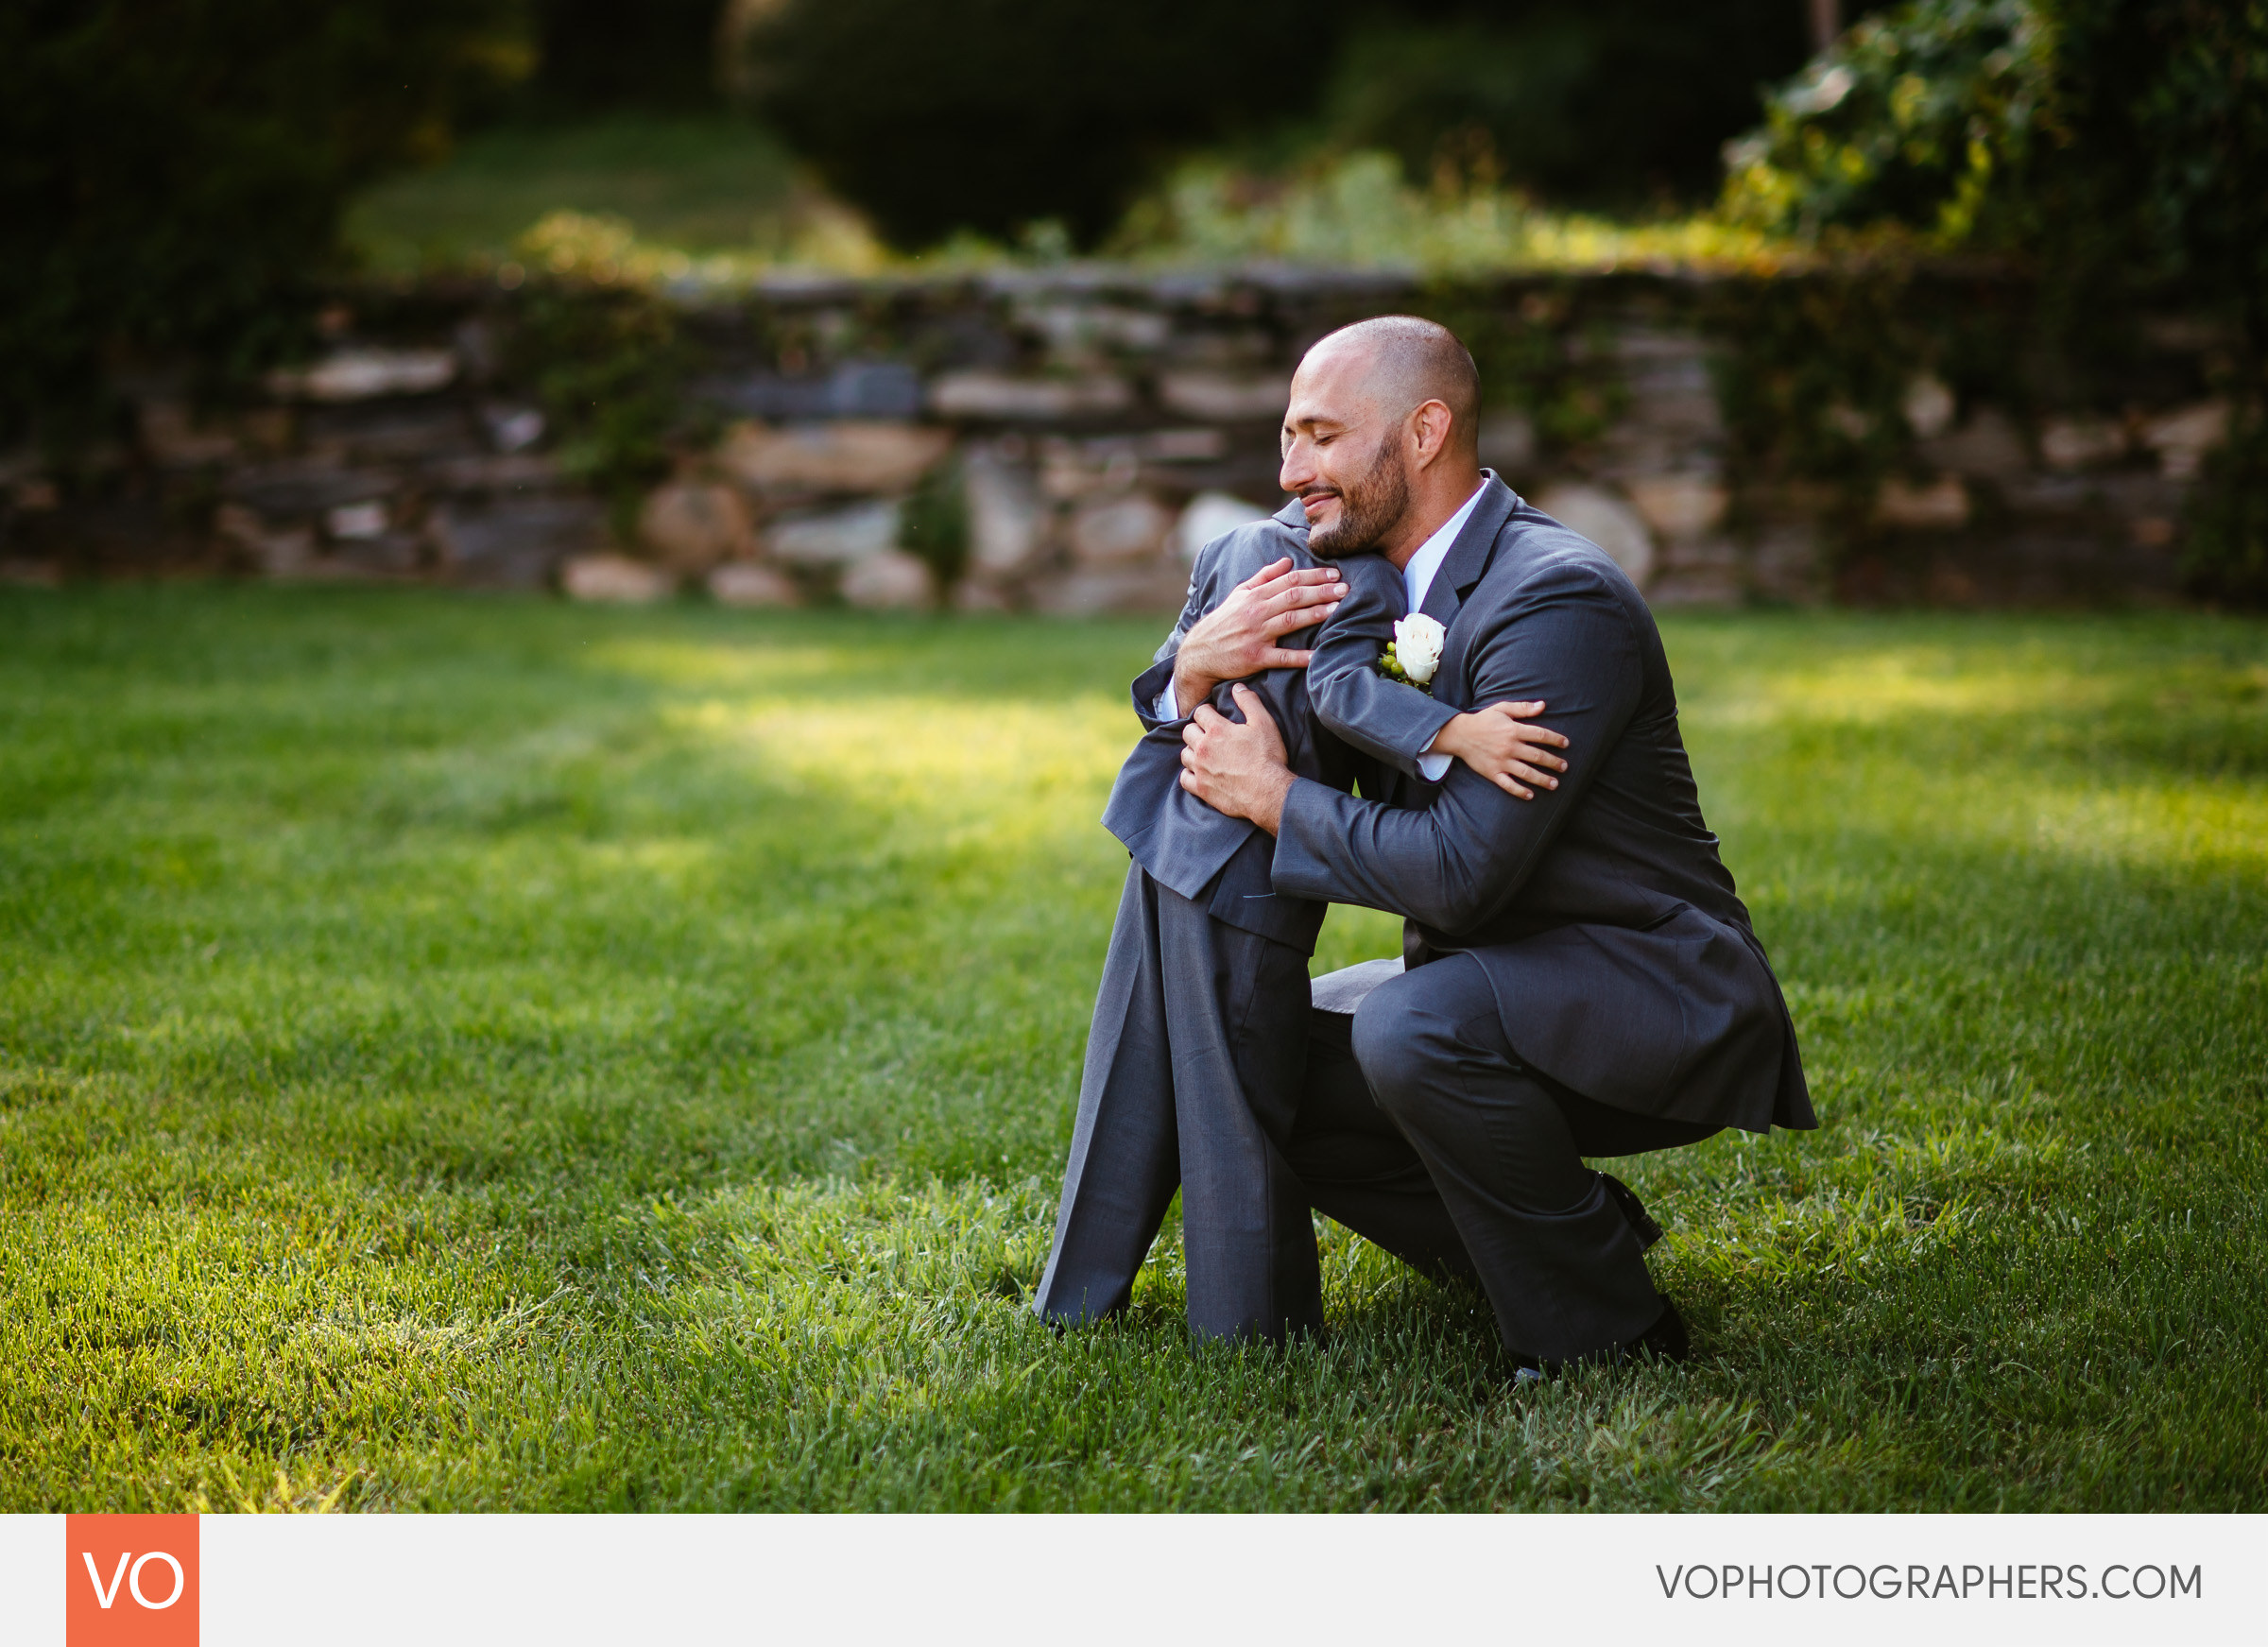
473	1054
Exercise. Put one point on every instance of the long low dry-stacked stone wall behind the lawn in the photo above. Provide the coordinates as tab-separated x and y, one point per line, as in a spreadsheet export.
1092	428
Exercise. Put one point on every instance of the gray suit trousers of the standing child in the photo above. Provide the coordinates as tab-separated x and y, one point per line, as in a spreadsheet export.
1192	1083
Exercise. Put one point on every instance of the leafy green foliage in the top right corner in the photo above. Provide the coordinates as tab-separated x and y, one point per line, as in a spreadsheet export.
2119	149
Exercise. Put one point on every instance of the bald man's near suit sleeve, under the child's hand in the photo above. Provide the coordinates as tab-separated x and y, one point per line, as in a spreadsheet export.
1462	861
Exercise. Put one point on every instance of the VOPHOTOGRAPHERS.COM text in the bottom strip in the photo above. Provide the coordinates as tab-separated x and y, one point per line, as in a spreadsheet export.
1920	1582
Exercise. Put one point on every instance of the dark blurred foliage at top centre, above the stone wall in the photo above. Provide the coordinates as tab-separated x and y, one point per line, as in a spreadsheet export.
992	115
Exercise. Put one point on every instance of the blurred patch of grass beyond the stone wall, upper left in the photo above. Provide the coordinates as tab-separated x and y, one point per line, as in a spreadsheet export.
697	185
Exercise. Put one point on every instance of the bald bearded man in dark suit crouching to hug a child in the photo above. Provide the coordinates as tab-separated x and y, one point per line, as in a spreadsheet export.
1577	974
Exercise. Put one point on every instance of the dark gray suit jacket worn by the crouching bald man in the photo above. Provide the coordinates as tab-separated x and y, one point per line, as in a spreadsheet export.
1623	961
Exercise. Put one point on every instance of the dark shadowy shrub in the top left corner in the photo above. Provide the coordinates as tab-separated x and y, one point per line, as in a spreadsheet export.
174	171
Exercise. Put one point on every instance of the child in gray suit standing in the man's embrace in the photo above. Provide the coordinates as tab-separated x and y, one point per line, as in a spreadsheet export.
1194	1067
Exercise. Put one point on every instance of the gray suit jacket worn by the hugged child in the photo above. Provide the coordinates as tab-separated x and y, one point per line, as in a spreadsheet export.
1224	861
